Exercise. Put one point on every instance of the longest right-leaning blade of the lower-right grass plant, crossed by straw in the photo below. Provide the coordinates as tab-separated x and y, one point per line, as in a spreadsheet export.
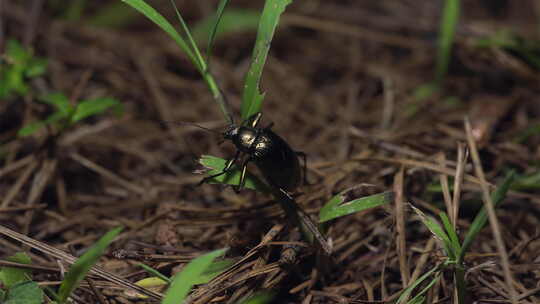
481	218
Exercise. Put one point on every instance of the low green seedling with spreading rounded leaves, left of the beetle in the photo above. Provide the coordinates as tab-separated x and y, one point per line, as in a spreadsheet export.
66	114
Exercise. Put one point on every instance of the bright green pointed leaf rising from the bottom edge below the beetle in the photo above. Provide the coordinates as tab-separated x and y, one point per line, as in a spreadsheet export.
184	281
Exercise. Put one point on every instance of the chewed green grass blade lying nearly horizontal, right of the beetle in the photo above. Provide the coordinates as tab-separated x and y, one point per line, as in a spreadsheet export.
338	207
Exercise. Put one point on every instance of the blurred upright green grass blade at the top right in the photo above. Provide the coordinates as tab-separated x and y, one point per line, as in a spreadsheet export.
446	37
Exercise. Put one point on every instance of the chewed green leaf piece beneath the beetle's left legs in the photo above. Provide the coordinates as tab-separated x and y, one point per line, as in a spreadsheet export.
217	165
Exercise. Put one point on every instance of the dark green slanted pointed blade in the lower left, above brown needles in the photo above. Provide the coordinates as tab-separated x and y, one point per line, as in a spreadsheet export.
80	268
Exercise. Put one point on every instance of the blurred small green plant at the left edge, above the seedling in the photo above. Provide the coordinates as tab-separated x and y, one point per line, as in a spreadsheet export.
17	66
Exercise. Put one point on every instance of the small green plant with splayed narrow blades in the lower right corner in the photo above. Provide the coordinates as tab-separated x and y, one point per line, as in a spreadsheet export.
454	249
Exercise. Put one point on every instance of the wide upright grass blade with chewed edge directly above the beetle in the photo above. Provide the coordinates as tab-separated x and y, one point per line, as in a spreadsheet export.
251	97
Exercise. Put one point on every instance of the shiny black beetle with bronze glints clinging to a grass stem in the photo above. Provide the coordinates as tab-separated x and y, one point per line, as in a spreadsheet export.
277	161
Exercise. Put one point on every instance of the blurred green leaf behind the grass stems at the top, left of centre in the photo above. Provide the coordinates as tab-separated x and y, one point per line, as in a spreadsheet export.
232	21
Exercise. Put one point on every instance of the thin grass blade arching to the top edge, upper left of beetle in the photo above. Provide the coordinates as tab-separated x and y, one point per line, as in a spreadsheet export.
160	21
